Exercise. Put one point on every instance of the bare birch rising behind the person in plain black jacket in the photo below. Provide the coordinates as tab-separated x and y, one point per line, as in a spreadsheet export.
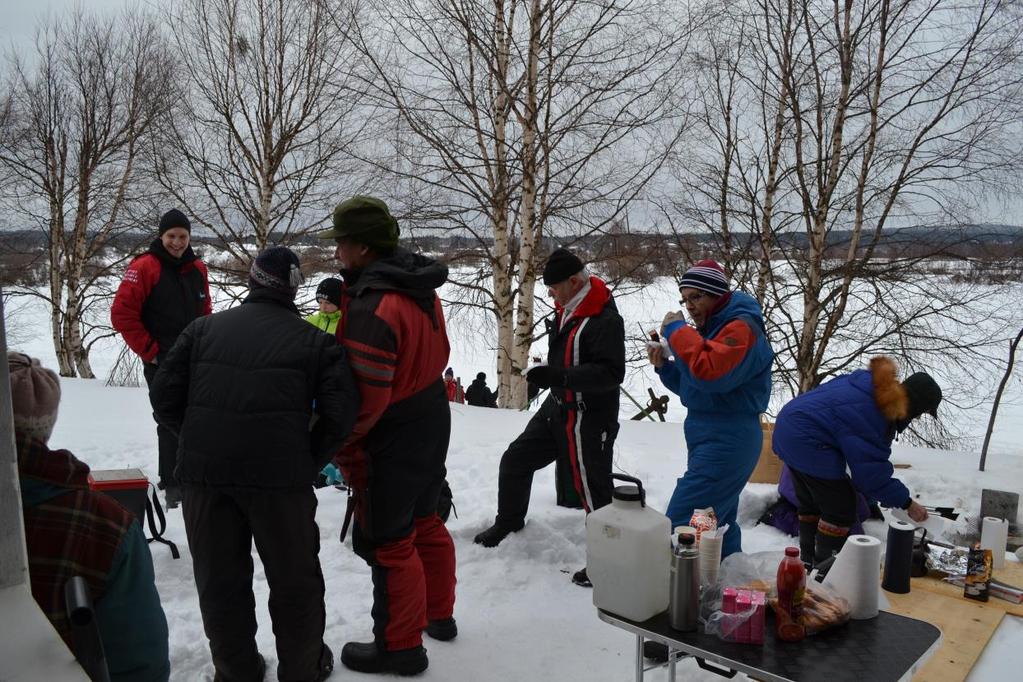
258	146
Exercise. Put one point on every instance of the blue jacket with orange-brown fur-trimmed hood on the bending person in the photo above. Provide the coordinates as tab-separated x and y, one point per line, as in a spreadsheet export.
850	422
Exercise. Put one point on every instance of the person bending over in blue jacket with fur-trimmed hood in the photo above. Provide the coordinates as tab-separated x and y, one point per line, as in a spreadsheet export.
850	424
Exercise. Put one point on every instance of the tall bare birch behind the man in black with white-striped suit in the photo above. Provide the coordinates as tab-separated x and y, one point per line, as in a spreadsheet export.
518	123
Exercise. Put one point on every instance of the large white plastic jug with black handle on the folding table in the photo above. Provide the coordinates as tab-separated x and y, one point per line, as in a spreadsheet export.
629	555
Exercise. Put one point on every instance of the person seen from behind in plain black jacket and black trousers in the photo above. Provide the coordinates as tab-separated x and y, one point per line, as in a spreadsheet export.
240	389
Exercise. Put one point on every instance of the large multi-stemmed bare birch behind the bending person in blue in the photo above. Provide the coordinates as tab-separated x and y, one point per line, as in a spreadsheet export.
827	128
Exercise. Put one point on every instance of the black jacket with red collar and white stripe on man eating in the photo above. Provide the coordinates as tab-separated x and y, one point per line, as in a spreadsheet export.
590	347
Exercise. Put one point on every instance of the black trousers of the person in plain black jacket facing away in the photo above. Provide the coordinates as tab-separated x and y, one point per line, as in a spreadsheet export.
221	525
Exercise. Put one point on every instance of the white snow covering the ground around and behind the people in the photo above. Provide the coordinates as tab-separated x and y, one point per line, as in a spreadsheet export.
520	617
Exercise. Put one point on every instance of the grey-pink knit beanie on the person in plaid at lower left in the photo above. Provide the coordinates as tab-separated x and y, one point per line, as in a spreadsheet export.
35	394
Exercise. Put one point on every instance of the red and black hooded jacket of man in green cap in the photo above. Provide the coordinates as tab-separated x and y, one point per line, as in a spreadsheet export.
393	329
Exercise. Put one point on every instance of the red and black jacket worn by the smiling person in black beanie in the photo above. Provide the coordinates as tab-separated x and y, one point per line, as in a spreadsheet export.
158	298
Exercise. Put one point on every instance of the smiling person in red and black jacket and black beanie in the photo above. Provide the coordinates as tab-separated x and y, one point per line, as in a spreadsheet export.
163	291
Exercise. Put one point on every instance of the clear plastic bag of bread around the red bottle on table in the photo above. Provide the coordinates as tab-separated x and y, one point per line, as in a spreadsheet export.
823	608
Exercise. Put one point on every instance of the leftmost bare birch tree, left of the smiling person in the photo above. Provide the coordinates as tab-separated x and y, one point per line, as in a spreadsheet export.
80	111
